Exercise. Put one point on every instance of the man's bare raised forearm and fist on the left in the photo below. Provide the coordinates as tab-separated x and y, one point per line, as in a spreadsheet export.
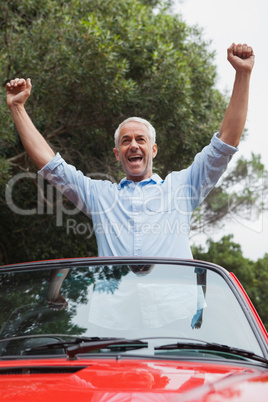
35	145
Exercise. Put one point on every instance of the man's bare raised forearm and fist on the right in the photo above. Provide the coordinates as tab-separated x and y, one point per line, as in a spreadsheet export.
241	58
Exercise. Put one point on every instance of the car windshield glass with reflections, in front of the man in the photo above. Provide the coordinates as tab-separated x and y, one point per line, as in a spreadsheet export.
130	300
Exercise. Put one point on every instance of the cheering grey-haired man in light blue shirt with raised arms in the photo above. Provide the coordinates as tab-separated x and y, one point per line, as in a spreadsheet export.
143	214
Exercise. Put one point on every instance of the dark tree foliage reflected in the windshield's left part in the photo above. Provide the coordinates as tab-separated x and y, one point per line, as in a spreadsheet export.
26	310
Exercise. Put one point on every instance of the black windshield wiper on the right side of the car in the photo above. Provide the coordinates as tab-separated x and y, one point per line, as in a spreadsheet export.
215	347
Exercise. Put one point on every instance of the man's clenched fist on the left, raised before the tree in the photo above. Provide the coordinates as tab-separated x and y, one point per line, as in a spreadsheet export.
18	91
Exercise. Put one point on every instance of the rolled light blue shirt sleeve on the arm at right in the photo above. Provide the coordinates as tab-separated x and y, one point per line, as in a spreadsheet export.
208	166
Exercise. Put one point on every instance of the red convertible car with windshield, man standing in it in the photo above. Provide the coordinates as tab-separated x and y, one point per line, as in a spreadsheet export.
129	329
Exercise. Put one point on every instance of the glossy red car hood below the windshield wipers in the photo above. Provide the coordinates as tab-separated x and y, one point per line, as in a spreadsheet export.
129	380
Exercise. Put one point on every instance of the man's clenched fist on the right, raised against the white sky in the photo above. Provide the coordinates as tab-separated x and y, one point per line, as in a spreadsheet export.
241	57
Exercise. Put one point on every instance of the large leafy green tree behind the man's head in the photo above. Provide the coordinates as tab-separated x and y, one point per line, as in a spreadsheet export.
92	64
